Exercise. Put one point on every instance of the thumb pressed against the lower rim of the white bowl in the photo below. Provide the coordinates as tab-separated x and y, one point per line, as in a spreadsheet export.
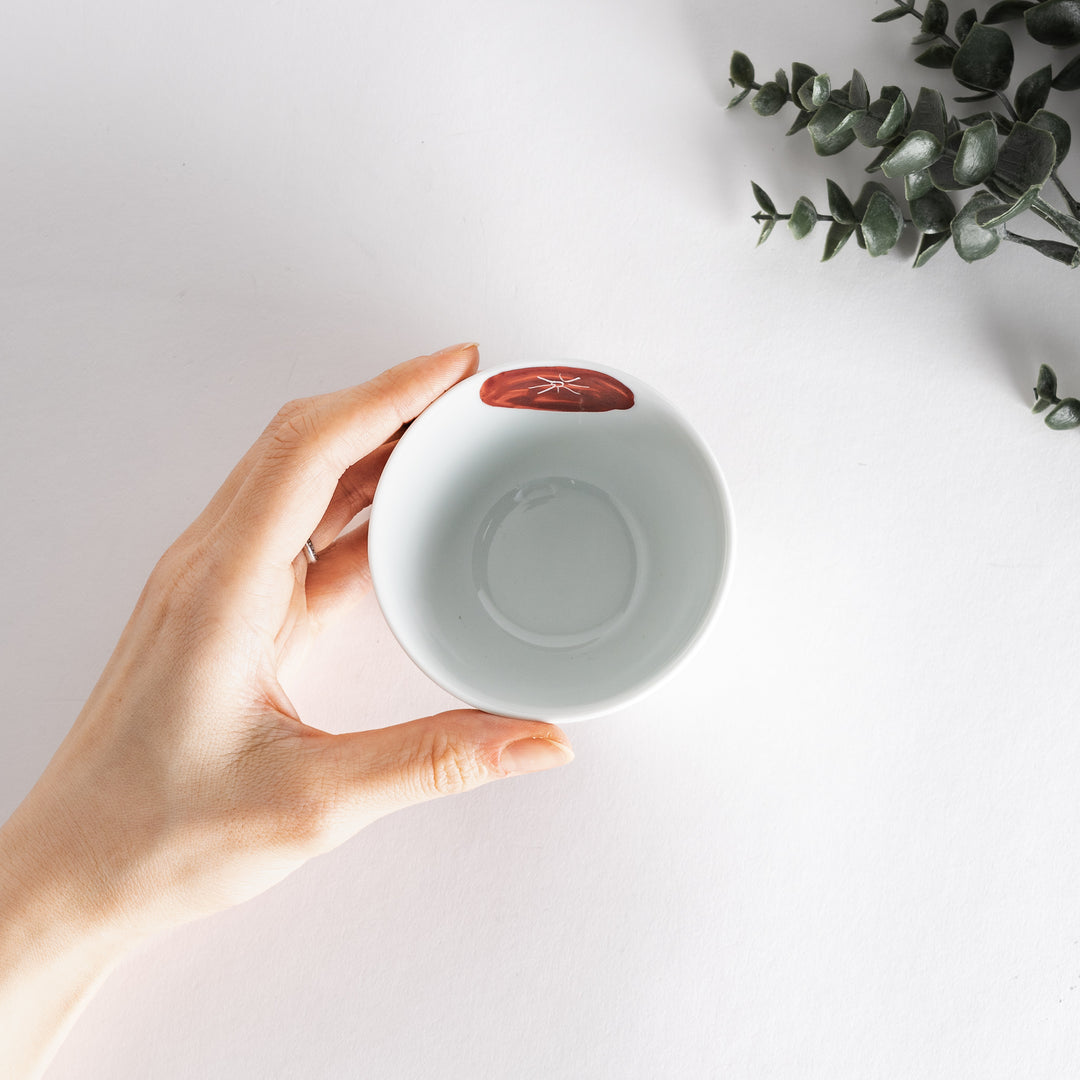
390	768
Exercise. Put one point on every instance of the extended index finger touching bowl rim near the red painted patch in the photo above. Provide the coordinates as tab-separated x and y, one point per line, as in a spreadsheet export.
315	440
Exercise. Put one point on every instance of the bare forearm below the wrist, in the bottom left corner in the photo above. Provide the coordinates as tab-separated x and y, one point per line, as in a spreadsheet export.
56	947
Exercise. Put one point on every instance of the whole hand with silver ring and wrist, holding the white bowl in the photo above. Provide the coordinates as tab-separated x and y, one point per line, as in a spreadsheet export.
188	782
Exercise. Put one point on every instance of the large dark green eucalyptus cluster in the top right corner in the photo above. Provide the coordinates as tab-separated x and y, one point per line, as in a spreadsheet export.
1003	158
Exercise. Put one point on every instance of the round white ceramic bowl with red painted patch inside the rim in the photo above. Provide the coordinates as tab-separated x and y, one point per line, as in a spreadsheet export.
550	543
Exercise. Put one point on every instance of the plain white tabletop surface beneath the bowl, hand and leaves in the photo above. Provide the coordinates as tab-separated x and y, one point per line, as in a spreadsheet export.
843	844
